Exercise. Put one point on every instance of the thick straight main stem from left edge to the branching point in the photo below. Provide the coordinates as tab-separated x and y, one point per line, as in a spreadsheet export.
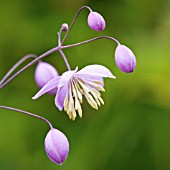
29	65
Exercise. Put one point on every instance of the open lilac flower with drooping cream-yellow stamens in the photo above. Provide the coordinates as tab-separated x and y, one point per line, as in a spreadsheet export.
72	85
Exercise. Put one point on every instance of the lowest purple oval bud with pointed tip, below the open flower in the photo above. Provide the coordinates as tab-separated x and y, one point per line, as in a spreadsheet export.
56	146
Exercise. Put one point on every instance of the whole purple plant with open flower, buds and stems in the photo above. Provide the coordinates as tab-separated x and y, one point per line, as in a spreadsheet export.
71	87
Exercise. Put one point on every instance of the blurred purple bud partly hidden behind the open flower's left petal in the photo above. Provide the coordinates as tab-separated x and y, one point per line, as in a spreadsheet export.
44	72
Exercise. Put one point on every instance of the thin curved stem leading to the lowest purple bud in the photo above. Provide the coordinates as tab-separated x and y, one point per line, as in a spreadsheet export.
27	113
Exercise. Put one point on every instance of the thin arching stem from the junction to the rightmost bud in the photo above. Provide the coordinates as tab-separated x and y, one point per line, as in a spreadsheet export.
90	40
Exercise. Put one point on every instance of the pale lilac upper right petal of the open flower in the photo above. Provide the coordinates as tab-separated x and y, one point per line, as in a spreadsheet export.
96	70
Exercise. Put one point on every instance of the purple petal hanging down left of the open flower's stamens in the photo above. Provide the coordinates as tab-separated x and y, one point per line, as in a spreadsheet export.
62	92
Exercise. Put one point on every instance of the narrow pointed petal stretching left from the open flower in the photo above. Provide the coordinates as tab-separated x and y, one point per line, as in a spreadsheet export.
49	86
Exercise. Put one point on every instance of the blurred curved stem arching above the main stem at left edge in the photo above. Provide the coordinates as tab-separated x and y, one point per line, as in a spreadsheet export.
16	65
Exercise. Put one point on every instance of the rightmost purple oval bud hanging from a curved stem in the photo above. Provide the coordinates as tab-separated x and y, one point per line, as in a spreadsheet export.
125	59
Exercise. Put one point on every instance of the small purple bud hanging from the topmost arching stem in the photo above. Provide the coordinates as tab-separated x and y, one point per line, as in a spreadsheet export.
96	21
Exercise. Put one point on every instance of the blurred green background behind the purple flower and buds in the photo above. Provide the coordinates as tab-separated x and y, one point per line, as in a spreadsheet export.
132	130
